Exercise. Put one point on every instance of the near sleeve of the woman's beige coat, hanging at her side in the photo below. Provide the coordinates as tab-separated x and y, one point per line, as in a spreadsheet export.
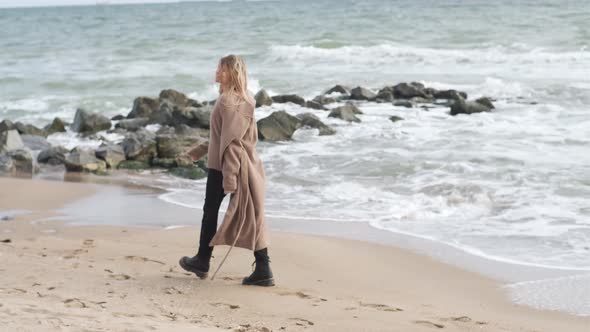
233	127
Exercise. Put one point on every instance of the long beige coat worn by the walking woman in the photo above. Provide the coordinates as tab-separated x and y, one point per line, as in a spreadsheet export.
232	150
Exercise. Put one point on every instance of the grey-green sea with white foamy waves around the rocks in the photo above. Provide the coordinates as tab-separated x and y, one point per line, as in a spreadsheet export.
512	185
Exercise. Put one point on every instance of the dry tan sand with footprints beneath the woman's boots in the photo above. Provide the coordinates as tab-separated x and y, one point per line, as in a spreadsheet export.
112	278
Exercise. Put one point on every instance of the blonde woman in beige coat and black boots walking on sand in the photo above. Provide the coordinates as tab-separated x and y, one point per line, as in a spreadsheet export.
236	169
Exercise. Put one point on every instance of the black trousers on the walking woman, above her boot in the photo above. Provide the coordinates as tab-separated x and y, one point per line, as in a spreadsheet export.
213	197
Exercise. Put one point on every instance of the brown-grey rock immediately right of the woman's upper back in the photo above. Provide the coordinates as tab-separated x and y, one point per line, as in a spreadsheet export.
279	126
